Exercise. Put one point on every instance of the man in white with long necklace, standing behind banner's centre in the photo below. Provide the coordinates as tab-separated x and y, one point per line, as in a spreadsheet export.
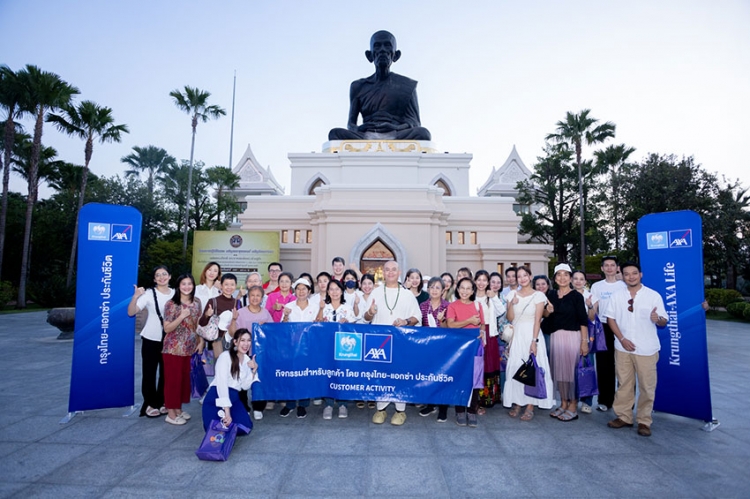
392	305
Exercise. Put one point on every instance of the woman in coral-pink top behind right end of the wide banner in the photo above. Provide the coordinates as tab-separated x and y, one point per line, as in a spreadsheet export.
464	313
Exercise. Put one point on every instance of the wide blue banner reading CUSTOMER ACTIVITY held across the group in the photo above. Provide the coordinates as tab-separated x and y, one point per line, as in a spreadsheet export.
364	362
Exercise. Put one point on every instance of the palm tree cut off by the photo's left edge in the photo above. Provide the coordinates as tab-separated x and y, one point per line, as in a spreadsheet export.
12	102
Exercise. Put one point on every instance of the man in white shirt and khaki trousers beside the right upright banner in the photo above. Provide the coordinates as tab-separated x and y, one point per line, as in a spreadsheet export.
634	314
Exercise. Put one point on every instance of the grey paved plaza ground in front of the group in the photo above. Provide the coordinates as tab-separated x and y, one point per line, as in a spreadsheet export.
102	454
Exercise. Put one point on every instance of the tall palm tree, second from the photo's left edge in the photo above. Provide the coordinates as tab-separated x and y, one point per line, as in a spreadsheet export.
47	92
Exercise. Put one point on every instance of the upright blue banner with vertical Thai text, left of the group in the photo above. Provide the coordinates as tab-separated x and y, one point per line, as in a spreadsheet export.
109	239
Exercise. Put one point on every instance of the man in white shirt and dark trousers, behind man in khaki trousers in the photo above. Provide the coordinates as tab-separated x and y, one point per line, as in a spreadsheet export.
601	291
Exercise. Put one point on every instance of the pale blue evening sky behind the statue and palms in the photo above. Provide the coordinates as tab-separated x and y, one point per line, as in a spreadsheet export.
672	75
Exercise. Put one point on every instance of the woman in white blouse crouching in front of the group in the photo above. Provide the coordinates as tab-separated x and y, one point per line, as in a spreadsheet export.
235	370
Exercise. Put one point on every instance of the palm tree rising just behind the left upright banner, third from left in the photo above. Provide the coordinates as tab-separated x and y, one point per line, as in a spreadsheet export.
90	122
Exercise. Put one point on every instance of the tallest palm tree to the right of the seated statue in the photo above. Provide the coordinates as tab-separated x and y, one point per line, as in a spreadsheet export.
576	129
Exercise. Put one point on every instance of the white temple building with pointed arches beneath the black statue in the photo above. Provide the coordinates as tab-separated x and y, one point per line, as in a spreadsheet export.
372	200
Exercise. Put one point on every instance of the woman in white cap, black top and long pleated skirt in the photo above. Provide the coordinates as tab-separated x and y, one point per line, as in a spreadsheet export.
570	339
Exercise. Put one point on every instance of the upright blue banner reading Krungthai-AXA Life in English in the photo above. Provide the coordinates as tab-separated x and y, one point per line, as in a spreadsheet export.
671	252
